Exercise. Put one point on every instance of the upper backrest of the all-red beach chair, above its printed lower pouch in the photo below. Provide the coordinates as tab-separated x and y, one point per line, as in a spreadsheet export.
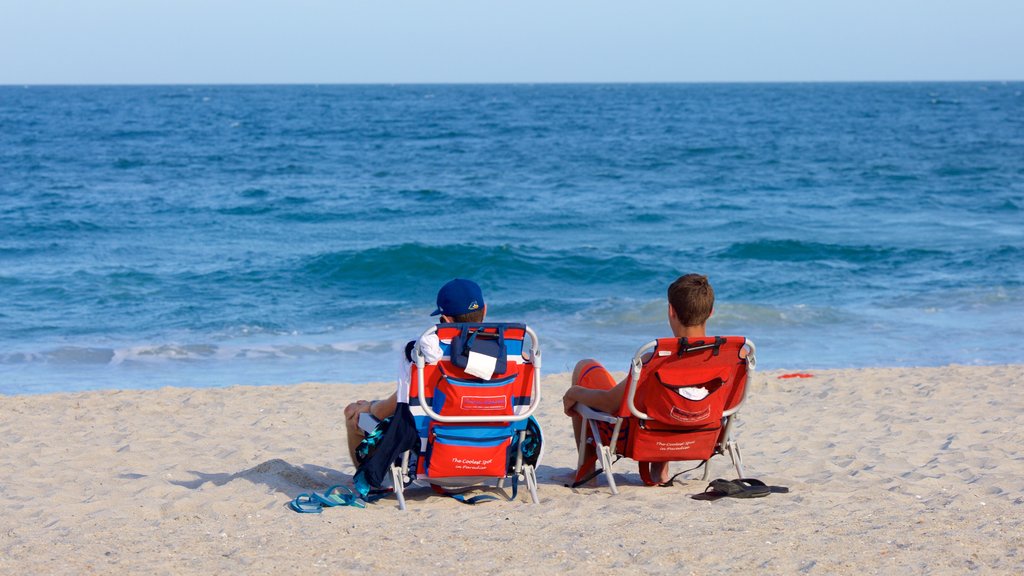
689	383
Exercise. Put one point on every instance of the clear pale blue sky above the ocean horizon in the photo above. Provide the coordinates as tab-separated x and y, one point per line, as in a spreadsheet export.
489	42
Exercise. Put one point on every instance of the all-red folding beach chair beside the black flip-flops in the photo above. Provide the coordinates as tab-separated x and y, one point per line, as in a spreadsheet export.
663	418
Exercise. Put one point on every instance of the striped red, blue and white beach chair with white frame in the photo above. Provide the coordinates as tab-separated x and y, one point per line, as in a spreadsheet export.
474	413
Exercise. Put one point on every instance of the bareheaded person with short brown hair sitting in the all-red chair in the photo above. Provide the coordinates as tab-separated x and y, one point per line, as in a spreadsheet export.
692	302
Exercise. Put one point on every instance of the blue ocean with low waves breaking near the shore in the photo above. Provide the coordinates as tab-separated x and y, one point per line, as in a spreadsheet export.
209	236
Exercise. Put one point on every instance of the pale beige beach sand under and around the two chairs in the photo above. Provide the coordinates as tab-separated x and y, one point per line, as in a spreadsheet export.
890	471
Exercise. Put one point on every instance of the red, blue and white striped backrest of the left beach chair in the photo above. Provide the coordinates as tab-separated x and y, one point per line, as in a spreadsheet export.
468	422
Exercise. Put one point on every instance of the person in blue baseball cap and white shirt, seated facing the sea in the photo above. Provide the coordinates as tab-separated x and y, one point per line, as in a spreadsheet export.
459	301
